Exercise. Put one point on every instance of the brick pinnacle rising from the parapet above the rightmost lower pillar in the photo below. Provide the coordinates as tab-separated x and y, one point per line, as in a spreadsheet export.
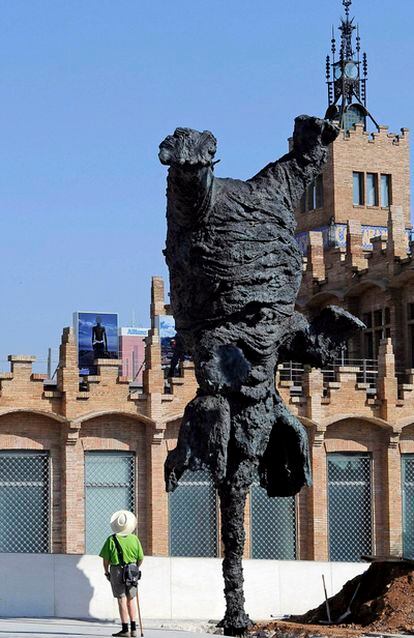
387	385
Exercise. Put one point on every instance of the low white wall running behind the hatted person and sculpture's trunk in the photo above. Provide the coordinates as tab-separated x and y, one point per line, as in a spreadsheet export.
68	586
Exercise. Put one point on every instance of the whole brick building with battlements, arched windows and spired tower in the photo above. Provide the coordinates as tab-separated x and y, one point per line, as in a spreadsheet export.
71	454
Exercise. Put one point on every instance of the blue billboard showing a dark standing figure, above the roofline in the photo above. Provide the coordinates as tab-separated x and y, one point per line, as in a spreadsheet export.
97	338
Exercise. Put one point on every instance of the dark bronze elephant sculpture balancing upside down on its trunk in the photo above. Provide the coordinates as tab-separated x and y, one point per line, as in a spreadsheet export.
235	271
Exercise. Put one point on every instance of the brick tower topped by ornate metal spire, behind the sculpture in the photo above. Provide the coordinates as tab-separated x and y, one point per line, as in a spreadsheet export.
353	223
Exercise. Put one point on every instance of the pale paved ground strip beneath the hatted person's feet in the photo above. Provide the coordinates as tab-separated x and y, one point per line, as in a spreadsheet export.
58	628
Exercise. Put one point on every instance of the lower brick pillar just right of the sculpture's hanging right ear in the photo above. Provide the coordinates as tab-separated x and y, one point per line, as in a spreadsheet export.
319	499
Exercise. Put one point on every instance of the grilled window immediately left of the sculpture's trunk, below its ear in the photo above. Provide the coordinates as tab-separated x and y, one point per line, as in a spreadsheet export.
193	516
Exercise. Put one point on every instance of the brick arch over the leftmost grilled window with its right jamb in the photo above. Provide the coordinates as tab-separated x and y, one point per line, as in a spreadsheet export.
38	431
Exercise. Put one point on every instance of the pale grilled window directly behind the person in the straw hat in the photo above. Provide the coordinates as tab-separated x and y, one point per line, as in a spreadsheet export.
109	487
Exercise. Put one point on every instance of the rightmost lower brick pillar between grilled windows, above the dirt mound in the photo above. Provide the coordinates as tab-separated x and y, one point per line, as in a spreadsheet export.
393	489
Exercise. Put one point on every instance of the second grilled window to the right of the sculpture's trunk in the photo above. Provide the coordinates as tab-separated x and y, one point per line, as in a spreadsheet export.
349	506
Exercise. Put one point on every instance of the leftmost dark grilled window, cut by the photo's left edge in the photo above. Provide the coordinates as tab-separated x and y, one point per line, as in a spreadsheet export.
24	502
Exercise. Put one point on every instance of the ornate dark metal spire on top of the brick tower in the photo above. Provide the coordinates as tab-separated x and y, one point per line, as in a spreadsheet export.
347	77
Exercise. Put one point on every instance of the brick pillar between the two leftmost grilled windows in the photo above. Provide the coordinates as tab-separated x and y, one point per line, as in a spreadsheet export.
73	492
